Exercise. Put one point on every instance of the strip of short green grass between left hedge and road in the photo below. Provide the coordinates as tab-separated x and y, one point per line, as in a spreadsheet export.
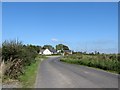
28	79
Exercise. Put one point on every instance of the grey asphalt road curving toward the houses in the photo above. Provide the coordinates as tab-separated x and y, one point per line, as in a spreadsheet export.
55	74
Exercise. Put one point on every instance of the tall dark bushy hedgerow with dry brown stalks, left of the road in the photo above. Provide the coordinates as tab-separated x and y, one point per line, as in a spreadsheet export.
16	57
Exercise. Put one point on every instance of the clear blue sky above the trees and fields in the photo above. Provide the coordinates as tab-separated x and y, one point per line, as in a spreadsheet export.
82	26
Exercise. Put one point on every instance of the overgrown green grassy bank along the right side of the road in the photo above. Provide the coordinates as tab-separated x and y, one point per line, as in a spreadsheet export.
106	62
